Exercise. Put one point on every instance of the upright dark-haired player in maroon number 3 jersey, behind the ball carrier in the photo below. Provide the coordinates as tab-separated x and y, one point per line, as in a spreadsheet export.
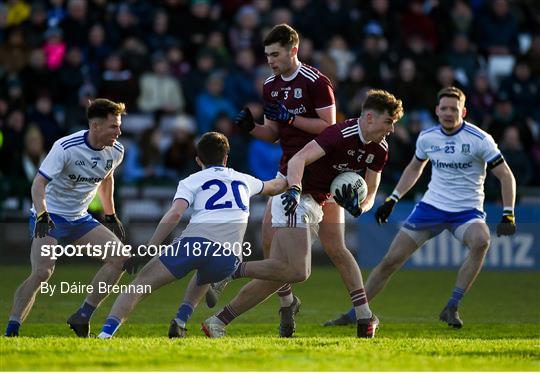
299	105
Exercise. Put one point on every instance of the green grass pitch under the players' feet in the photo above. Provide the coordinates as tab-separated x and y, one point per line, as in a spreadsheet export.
501	332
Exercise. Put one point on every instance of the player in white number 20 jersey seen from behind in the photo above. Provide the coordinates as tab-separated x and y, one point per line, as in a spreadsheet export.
212	243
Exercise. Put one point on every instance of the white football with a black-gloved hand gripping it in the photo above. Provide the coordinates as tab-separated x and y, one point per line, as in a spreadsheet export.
349	190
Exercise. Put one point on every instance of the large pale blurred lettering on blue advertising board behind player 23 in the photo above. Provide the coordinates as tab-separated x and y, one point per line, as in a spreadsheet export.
444	250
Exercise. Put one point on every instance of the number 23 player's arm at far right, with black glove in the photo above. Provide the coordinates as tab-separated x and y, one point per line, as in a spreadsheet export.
507	226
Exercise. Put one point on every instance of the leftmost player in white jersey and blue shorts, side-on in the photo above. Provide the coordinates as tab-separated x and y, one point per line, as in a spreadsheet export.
77	167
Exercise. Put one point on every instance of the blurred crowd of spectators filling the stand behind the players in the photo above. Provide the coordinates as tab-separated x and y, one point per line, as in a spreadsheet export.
184	67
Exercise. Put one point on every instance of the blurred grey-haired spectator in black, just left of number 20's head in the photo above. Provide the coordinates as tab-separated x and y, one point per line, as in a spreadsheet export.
179	157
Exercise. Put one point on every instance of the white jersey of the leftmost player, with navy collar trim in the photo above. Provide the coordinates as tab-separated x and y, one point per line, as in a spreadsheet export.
75	170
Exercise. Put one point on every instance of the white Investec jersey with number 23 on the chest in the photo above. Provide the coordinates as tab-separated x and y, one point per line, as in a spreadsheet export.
458	164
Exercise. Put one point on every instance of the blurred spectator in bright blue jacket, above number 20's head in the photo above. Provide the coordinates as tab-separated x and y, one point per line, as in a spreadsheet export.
212	102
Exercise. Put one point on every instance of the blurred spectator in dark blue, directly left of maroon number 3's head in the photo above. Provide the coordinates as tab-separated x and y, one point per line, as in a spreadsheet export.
239	87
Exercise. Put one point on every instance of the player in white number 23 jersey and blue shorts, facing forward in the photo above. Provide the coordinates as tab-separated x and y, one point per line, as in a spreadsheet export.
458	152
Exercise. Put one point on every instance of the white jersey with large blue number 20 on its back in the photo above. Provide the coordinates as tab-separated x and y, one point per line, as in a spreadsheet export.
220	200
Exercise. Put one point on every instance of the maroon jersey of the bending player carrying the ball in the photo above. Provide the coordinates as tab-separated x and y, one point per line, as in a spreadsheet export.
345	151
